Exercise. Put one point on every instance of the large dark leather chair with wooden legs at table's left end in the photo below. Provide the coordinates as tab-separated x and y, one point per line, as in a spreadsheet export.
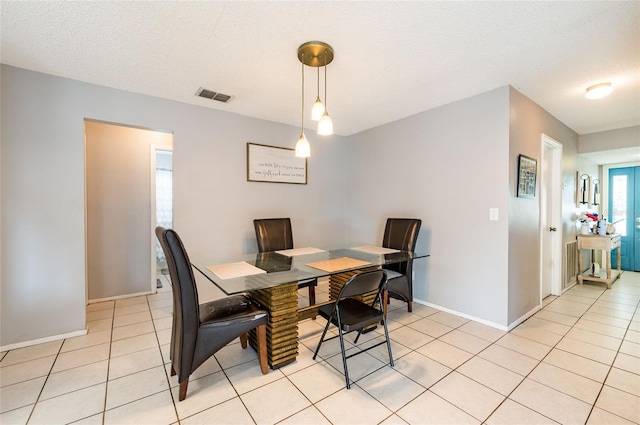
200	330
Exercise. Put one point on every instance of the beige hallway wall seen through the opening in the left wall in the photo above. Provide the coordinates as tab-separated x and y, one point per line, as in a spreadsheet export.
120	209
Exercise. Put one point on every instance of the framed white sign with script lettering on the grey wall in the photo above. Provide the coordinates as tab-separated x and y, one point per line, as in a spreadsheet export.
273	164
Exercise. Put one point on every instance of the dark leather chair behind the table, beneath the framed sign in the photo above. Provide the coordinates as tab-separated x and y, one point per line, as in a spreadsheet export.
274	234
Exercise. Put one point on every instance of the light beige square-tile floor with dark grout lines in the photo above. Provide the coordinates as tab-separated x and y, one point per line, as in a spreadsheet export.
576	361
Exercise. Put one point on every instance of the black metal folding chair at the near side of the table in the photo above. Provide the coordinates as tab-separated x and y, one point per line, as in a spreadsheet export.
350	314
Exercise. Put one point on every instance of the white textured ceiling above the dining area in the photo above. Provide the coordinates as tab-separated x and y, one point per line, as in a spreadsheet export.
393	59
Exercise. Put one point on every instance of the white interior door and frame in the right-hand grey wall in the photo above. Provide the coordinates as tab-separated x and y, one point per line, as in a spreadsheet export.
551	186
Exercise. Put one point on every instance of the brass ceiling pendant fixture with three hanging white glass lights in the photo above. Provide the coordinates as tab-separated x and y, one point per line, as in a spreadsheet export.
315	54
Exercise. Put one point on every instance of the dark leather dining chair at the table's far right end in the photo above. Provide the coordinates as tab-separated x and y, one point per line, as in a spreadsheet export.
402	234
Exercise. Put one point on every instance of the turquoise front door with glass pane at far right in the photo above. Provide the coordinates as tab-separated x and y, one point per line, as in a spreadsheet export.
624	207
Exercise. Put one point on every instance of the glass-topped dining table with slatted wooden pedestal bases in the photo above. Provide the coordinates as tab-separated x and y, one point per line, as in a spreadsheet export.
271	279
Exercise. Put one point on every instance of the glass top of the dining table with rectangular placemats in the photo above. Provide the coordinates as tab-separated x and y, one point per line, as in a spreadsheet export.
269	269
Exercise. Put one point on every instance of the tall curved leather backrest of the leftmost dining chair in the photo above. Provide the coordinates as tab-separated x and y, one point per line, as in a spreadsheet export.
185	299
